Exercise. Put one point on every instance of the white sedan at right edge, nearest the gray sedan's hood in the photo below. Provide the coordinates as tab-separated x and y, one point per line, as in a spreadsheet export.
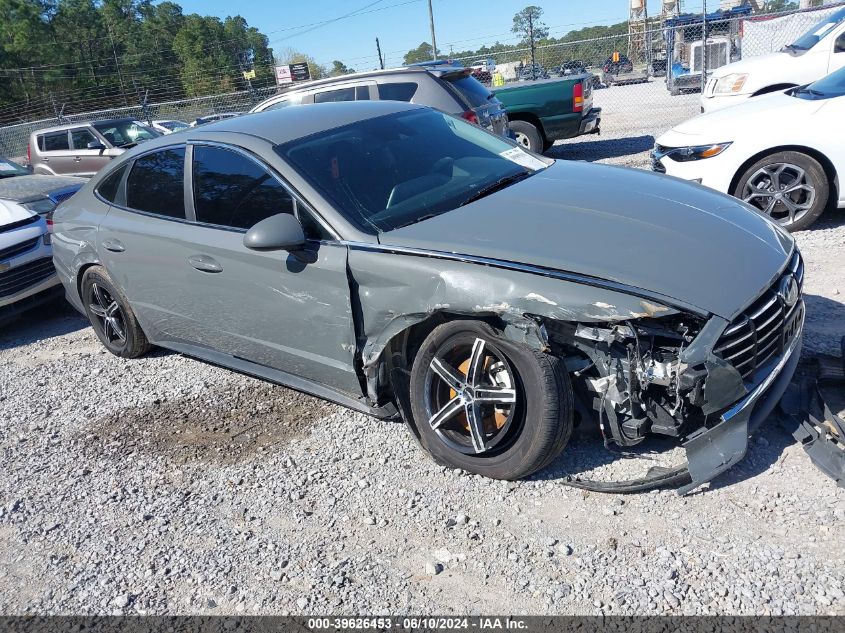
782	153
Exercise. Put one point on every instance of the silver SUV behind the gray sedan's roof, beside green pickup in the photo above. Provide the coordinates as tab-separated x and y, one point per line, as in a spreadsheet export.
448	88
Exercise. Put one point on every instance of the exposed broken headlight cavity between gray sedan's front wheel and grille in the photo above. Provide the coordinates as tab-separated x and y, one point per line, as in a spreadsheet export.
633	376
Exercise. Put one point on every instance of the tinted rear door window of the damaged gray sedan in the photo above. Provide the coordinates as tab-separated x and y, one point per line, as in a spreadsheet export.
155	184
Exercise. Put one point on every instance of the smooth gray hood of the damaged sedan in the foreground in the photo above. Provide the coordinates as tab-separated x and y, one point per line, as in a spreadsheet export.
648	231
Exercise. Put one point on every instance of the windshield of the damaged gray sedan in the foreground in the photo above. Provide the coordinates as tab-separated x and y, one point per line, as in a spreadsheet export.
402	168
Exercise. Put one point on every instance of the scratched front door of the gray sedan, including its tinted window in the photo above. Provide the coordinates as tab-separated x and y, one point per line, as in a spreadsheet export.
291	312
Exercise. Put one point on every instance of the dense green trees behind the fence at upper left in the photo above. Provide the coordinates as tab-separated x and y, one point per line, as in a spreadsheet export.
96	54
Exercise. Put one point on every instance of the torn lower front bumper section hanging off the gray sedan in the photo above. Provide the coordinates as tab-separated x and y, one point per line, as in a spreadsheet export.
712	451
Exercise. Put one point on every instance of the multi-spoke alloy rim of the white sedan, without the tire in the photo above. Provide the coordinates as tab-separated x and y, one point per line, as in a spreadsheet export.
782	191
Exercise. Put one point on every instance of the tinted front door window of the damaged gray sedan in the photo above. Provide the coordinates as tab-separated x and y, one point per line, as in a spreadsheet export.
232	190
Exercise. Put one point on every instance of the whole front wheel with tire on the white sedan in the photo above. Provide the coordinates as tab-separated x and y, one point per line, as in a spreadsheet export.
790	187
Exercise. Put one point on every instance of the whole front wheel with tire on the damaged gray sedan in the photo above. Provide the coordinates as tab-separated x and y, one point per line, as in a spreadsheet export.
487	405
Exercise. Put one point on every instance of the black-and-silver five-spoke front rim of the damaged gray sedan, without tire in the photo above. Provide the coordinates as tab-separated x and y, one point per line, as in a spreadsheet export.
461	404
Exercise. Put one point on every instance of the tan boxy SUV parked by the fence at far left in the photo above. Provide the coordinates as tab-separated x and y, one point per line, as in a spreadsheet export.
82	149
